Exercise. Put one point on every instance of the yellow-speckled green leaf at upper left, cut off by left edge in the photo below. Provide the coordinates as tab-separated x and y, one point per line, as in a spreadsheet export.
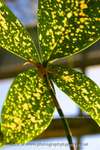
13	36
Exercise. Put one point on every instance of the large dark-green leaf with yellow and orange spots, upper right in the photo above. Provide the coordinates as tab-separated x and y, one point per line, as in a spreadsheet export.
67	27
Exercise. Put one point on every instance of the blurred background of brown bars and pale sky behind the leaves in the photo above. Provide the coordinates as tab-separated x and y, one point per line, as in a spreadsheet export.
85	131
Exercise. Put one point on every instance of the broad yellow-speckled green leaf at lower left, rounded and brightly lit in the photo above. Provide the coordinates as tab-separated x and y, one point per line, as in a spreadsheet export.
28	109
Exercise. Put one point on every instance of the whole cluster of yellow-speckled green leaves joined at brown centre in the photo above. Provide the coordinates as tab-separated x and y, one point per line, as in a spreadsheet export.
64	28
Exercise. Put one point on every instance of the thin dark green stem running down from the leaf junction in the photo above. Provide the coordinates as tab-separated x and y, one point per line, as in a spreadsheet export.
64	121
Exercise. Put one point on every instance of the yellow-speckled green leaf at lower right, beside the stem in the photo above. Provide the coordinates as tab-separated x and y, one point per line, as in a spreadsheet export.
82	90
